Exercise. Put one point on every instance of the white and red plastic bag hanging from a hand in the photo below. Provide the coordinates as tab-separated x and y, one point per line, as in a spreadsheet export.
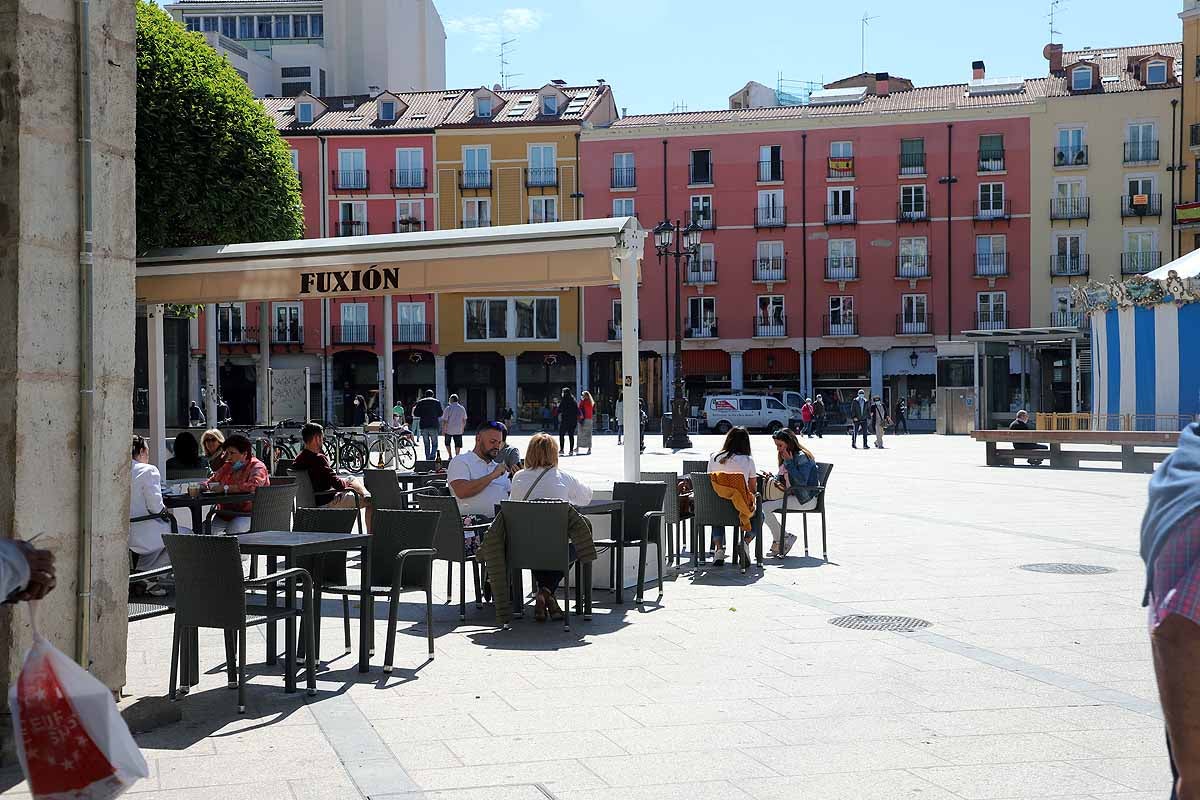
71	741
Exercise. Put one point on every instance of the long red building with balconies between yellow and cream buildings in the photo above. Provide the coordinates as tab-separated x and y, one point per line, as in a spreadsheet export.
835	255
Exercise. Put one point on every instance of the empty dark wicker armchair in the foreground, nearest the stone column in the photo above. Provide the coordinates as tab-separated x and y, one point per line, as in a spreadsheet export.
211	592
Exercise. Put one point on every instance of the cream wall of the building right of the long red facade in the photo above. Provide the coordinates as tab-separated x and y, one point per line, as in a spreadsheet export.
1106	119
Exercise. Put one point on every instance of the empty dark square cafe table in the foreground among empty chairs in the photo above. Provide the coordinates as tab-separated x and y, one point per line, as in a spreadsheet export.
293	545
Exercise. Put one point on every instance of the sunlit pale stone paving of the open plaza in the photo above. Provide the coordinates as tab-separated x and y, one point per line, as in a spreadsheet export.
1025	685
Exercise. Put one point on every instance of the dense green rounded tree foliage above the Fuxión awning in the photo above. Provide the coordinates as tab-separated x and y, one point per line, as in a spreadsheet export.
212	167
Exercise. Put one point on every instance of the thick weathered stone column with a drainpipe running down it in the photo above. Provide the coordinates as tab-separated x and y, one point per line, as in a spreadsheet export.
44	323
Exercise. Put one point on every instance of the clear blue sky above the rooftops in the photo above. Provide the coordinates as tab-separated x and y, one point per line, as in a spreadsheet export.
661	53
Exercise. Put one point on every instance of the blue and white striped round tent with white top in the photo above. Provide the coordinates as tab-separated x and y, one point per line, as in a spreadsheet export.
1147	345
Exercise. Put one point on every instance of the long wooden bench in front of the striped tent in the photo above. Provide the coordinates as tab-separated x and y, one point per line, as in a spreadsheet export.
1133	456
